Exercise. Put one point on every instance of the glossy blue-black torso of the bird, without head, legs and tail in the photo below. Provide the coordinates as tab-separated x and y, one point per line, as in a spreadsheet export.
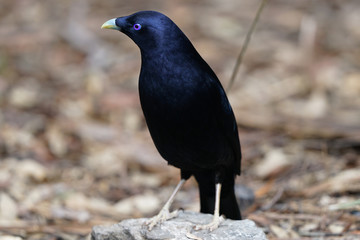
187	111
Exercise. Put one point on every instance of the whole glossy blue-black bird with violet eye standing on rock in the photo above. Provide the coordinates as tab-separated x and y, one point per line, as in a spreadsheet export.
187	112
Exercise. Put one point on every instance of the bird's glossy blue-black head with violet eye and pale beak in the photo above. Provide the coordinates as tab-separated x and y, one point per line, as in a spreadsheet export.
148	29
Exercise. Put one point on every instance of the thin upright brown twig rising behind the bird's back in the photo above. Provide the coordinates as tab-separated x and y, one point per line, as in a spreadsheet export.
246	43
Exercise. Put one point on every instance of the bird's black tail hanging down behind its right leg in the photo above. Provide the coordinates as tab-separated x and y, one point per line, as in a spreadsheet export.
228	203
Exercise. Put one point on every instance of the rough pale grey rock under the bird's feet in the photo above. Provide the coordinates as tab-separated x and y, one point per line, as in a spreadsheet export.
178	228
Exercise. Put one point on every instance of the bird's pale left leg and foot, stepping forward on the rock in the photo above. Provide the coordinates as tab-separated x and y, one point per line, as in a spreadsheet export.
164	213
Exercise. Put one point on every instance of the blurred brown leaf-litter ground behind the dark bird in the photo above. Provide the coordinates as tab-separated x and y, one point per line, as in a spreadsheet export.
75	151
